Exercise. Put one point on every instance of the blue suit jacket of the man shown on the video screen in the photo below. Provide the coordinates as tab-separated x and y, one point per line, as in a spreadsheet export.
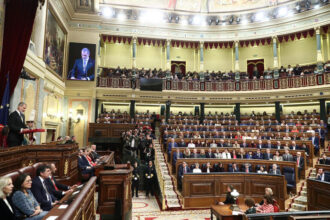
78	70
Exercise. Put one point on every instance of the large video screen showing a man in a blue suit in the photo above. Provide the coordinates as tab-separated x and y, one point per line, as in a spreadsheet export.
81	62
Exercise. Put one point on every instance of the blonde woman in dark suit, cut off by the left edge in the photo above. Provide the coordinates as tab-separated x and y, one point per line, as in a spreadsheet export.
6	207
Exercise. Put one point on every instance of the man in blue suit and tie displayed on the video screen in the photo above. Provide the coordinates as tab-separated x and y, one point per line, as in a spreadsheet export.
83	69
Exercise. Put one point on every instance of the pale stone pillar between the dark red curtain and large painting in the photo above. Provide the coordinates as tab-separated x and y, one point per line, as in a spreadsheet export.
38	33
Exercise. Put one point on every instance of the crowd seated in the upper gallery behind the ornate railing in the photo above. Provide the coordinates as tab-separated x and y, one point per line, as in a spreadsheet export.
210	75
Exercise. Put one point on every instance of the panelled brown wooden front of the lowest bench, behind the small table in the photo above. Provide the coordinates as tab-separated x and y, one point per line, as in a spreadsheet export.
203	190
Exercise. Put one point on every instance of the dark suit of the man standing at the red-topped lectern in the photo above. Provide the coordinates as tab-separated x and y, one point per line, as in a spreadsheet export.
15	124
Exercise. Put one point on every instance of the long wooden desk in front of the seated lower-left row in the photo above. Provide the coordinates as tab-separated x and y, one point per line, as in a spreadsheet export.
82	207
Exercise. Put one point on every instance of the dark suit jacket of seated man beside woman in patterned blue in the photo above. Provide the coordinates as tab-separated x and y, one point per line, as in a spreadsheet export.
40	194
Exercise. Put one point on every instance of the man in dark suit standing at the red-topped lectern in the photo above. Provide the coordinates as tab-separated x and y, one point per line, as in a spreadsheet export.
16	124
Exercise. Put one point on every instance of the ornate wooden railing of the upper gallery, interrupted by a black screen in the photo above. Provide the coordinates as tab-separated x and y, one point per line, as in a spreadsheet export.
213	86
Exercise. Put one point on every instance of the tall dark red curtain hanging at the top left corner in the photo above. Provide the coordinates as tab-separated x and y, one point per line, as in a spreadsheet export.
19	19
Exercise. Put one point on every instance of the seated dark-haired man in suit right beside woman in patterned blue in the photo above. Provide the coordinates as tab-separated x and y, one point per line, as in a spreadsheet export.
40	190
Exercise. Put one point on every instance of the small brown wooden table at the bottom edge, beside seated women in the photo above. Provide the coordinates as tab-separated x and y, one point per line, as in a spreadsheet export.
223	212
